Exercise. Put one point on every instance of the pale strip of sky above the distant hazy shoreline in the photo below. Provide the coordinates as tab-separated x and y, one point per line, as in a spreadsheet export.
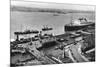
29	3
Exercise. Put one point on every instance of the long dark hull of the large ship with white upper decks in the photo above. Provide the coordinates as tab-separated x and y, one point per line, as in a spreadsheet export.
75	28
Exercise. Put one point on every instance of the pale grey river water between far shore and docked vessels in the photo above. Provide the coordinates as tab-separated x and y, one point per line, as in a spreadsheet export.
35	20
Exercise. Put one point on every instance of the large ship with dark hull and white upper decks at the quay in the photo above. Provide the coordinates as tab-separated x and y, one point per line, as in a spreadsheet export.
79	24
